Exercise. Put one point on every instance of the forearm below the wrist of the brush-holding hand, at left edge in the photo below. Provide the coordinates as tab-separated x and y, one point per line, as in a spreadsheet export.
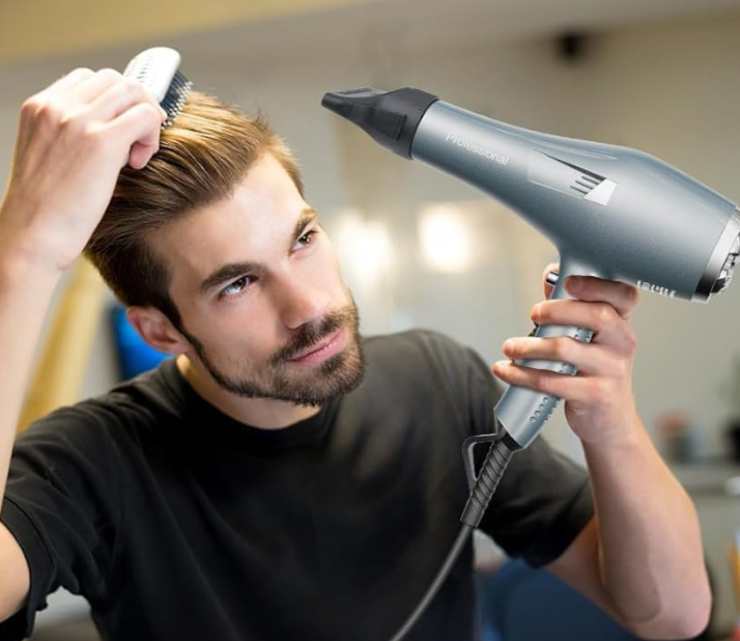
26	287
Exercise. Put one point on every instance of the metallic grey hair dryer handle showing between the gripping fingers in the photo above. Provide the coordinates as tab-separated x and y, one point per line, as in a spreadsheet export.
522	411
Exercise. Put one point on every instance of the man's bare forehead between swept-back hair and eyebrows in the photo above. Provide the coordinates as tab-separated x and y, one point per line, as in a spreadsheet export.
253	224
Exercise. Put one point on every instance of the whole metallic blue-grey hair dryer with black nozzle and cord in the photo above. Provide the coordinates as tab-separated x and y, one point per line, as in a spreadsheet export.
612	211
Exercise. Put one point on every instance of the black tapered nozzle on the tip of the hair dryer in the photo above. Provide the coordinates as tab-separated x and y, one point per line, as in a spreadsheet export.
391	117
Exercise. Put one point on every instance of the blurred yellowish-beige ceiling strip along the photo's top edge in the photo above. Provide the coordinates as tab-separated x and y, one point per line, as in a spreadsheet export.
40	29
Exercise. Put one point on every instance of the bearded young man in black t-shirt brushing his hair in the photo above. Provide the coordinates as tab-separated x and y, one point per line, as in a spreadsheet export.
284	478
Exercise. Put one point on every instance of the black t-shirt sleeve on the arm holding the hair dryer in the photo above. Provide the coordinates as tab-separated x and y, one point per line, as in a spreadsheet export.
544	498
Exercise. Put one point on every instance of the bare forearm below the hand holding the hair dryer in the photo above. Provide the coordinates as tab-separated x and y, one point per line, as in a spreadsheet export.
650	548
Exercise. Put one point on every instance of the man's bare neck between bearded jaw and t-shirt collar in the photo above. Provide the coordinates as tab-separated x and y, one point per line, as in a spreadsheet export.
263	413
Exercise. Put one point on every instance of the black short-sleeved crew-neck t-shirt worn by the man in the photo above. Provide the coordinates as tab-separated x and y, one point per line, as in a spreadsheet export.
176	521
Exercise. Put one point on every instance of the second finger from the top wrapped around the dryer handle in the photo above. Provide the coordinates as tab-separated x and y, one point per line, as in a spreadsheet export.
608	326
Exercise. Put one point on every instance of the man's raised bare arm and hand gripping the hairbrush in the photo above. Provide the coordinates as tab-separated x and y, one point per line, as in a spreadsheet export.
73	139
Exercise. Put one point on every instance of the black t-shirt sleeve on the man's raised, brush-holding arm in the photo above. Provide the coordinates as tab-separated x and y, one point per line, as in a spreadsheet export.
62	507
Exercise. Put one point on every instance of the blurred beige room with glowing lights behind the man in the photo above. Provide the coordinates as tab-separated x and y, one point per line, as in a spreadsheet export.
417	247
